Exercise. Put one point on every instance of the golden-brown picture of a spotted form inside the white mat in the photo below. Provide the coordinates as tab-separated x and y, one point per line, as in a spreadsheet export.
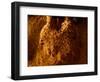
56	40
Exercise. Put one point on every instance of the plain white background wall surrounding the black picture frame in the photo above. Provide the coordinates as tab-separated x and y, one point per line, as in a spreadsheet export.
5	40
